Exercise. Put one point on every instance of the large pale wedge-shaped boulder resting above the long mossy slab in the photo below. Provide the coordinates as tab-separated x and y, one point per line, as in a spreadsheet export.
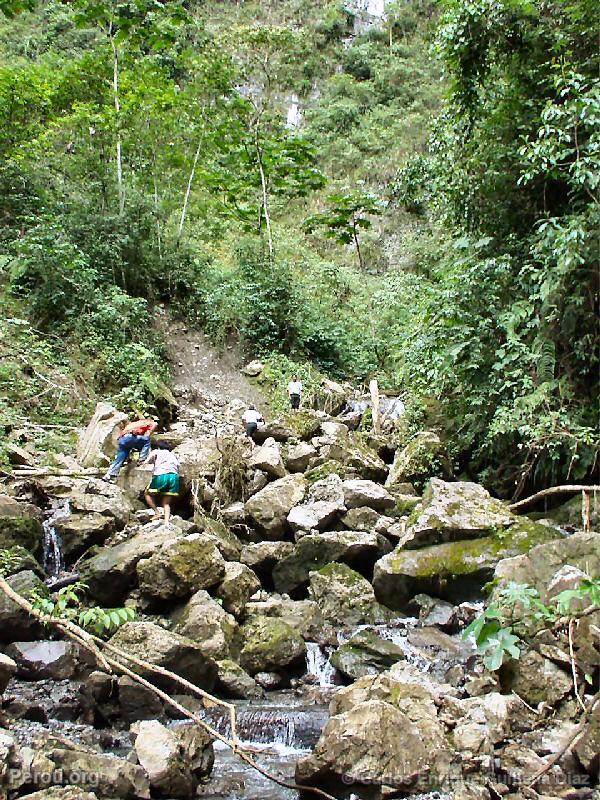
455	511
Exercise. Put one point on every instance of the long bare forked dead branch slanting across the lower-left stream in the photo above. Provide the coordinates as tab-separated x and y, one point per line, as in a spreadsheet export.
113	663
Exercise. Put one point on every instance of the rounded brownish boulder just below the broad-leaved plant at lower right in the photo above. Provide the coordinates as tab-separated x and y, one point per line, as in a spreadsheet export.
536	679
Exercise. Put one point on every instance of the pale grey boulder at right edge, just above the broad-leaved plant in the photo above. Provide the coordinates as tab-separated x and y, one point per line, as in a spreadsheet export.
538	567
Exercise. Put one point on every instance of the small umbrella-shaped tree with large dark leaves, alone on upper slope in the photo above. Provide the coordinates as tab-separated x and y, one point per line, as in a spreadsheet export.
346	214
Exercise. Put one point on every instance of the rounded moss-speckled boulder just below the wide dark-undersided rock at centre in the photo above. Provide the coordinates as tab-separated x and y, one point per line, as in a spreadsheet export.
345	597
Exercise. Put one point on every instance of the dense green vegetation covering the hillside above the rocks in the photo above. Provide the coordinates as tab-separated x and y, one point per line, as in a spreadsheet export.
432	221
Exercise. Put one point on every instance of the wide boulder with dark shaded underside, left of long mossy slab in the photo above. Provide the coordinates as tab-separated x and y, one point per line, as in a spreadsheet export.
313	551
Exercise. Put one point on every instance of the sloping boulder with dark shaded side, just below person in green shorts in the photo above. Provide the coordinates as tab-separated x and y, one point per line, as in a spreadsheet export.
110	571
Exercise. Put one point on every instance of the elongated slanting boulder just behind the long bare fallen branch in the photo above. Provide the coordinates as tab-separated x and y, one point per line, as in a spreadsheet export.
162	648
